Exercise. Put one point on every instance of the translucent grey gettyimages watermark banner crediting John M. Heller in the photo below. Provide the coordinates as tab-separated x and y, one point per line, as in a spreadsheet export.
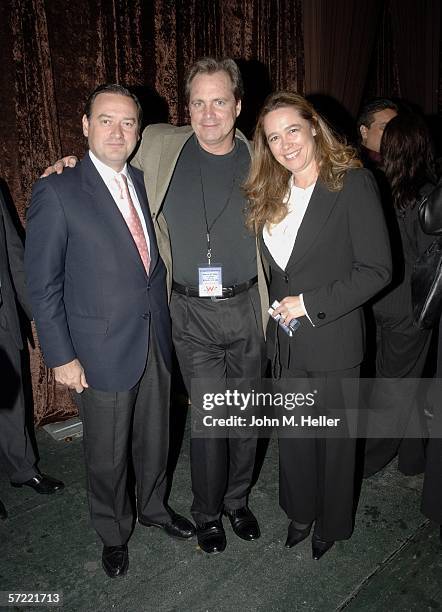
313	407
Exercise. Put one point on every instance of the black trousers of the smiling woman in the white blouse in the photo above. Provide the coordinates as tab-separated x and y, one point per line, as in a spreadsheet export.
316	477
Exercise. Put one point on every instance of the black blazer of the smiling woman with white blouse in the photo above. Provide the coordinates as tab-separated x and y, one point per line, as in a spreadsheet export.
341	258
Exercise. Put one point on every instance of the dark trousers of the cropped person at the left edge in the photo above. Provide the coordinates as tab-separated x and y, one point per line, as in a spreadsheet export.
16	452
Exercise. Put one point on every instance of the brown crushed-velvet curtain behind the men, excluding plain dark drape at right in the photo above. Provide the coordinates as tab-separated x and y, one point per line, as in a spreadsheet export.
55	53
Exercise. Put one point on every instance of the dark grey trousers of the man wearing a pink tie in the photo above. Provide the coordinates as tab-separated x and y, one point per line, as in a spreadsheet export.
116	425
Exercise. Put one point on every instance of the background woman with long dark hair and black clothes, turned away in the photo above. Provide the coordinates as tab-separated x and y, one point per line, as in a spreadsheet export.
401	348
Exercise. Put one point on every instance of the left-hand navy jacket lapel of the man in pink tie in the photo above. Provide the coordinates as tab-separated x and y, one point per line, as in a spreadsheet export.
108	210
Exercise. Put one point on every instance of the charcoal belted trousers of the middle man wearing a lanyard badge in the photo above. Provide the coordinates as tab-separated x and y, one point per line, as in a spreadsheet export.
219	340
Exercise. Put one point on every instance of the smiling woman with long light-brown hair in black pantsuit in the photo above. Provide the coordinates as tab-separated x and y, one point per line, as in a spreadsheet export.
322	231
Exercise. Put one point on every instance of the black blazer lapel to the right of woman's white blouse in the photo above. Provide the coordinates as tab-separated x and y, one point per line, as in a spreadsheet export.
318	210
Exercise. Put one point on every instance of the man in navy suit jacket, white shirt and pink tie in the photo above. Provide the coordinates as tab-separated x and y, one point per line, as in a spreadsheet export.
98	291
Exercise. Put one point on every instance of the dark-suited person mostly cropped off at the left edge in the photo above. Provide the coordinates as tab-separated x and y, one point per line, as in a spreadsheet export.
16	452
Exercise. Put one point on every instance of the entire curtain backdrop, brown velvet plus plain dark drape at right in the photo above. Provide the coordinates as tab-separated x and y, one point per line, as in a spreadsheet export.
54	52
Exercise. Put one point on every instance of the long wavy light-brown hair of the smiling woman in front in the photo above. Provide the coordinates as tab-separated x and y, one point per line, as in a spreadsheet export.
267	183
